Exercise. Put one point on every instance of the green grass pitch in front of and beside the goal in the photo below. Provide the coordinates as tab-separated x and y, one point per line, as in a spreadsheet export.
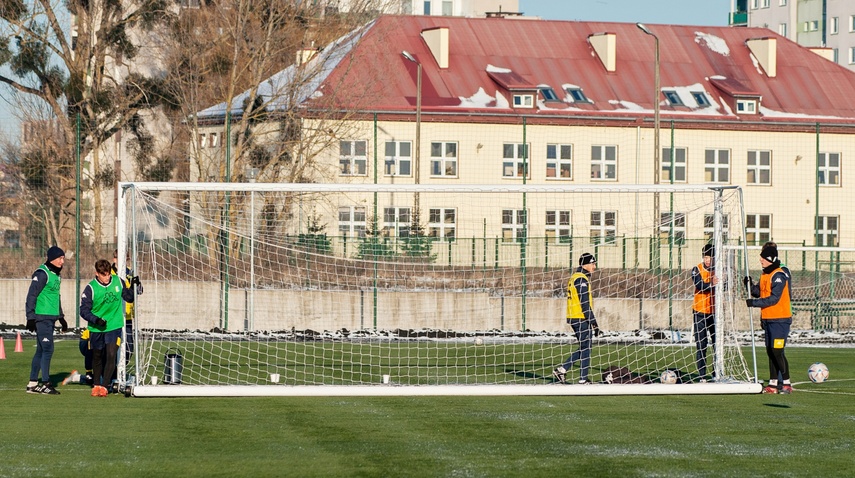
808	433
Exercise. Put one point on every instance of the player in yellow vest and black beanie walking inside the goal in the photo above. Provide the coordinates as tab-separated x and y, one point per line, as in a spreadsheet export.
580	317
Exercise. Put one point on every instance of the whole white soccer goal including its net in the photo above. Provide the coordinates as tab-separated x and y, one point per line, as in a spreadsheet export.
346	289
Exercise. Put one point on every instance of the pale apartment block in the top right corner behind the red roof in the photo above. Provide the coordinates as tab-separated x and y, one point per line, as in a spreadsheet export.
826	26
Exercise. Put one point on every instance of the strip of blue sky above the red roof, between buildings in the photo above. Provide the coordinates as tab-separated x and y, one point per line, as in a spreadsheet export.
674	12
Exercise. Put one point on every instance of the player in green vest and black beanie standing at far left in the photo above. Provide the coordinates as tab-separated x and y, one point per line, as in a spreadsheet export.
44	308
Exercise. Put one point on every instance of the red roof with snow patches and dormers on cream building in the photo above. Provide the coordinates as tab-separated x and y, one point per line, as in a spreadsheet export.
375	77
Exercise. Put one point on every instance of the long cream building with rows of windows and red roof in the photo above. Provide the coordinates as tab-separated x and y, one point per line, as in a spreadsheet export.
734	112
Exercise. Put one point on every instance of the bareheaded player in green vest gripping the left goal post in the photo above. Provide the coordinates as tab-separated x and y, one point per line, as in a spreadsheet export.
102	307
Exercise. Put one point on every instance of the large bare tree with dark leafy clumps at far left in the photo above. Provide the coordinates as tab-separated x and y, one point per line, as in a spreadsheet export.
88	83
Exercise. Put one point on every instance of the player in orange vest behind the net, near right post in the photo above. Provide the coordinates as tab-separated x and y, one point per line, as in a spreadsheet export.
703	308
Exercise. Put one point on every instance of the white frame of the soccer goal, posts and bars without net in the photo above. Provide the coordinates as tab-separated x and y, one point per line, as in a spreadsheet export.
141	385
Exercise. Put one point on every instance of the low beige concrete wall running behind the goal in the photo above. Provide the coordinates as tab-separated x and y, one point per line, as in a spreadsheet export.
196	306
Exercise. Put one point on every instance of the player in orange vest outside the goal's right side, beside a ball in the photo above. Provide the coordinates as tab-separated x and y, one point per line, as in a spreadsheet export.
772	296
